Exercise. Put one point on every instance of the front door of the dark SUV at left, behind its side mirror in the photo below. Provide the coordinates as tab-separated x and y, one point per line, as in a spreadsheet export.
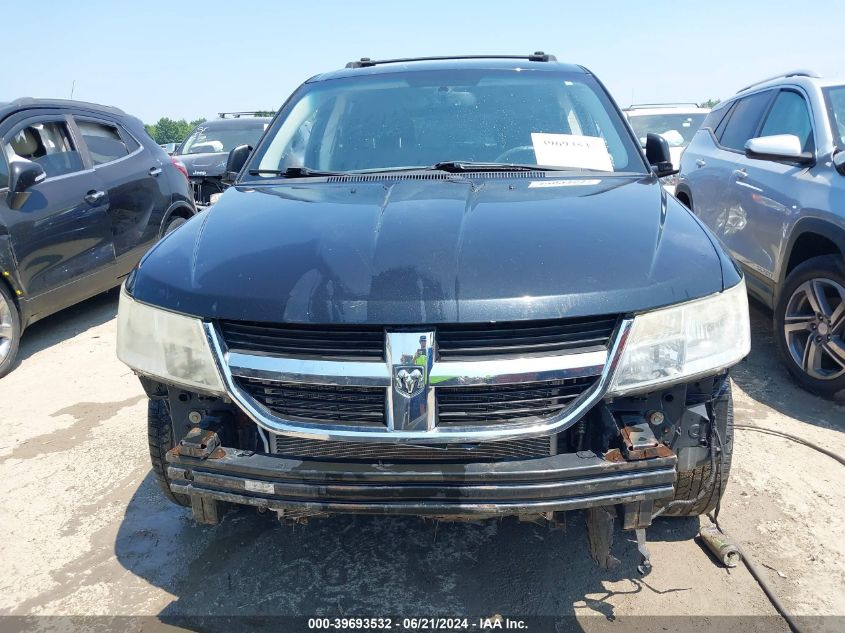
61	232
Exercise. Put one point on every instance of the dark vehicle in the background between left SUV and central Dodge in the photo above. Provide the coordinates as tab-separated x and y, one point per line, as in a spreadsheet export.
206	149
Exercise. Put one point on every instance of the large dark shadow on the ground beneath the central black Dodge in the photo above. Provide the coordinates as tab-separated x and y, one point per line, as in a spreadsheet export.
250	565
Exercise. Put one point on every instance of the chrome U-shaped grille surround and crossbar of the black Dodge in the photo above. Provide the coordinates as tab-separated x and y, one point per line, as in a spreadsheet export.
441	435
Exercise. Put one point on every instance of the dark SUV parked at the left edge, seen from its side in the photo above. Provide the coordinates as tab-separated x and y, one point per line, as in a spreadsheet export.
84	192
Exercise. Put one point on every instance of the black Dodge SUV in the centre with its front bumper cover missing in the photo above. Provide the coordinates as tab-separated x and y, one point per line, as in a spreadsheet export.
442	287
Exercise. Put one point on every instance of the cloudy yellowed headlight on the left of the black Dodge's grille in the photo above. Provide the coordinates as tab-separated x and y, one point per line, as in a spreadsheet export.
165	345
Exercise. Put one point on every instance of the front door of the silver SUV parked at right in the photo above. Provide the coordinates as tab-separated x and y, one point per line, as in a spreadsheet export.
767	190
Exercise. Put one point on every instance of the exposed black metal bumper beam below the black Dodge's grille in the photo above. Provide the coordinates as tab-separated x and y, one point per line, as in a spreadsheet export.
562	482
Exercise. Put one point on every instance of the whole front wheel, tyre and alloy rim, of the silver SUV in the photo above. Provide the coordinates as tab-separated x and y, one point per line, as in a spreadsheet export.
809	323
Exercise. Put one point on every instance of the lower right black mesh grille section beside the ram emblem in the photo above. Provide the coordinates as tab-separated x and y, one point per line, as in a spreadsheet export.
507	403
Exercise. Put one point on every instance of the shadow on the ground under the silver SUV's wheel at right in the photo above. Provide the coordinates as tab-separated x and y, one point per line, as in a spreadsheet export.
763	376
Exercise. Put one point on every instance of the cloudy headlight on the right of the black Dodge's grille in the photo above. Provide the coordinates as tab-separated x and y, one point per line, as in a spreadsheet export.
685	341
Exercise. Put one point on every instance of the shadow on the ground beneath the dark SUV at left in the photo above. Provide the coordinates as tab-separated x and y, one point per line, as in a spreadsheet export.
67	324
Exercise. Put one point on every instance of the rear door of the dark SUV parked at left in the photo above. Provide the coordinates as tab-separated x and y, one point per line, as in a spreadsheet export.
131	178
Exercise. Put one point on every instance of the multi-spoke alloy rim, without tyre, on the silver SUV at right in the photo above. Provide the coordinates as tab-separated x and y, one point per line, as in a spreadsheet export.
814	327
